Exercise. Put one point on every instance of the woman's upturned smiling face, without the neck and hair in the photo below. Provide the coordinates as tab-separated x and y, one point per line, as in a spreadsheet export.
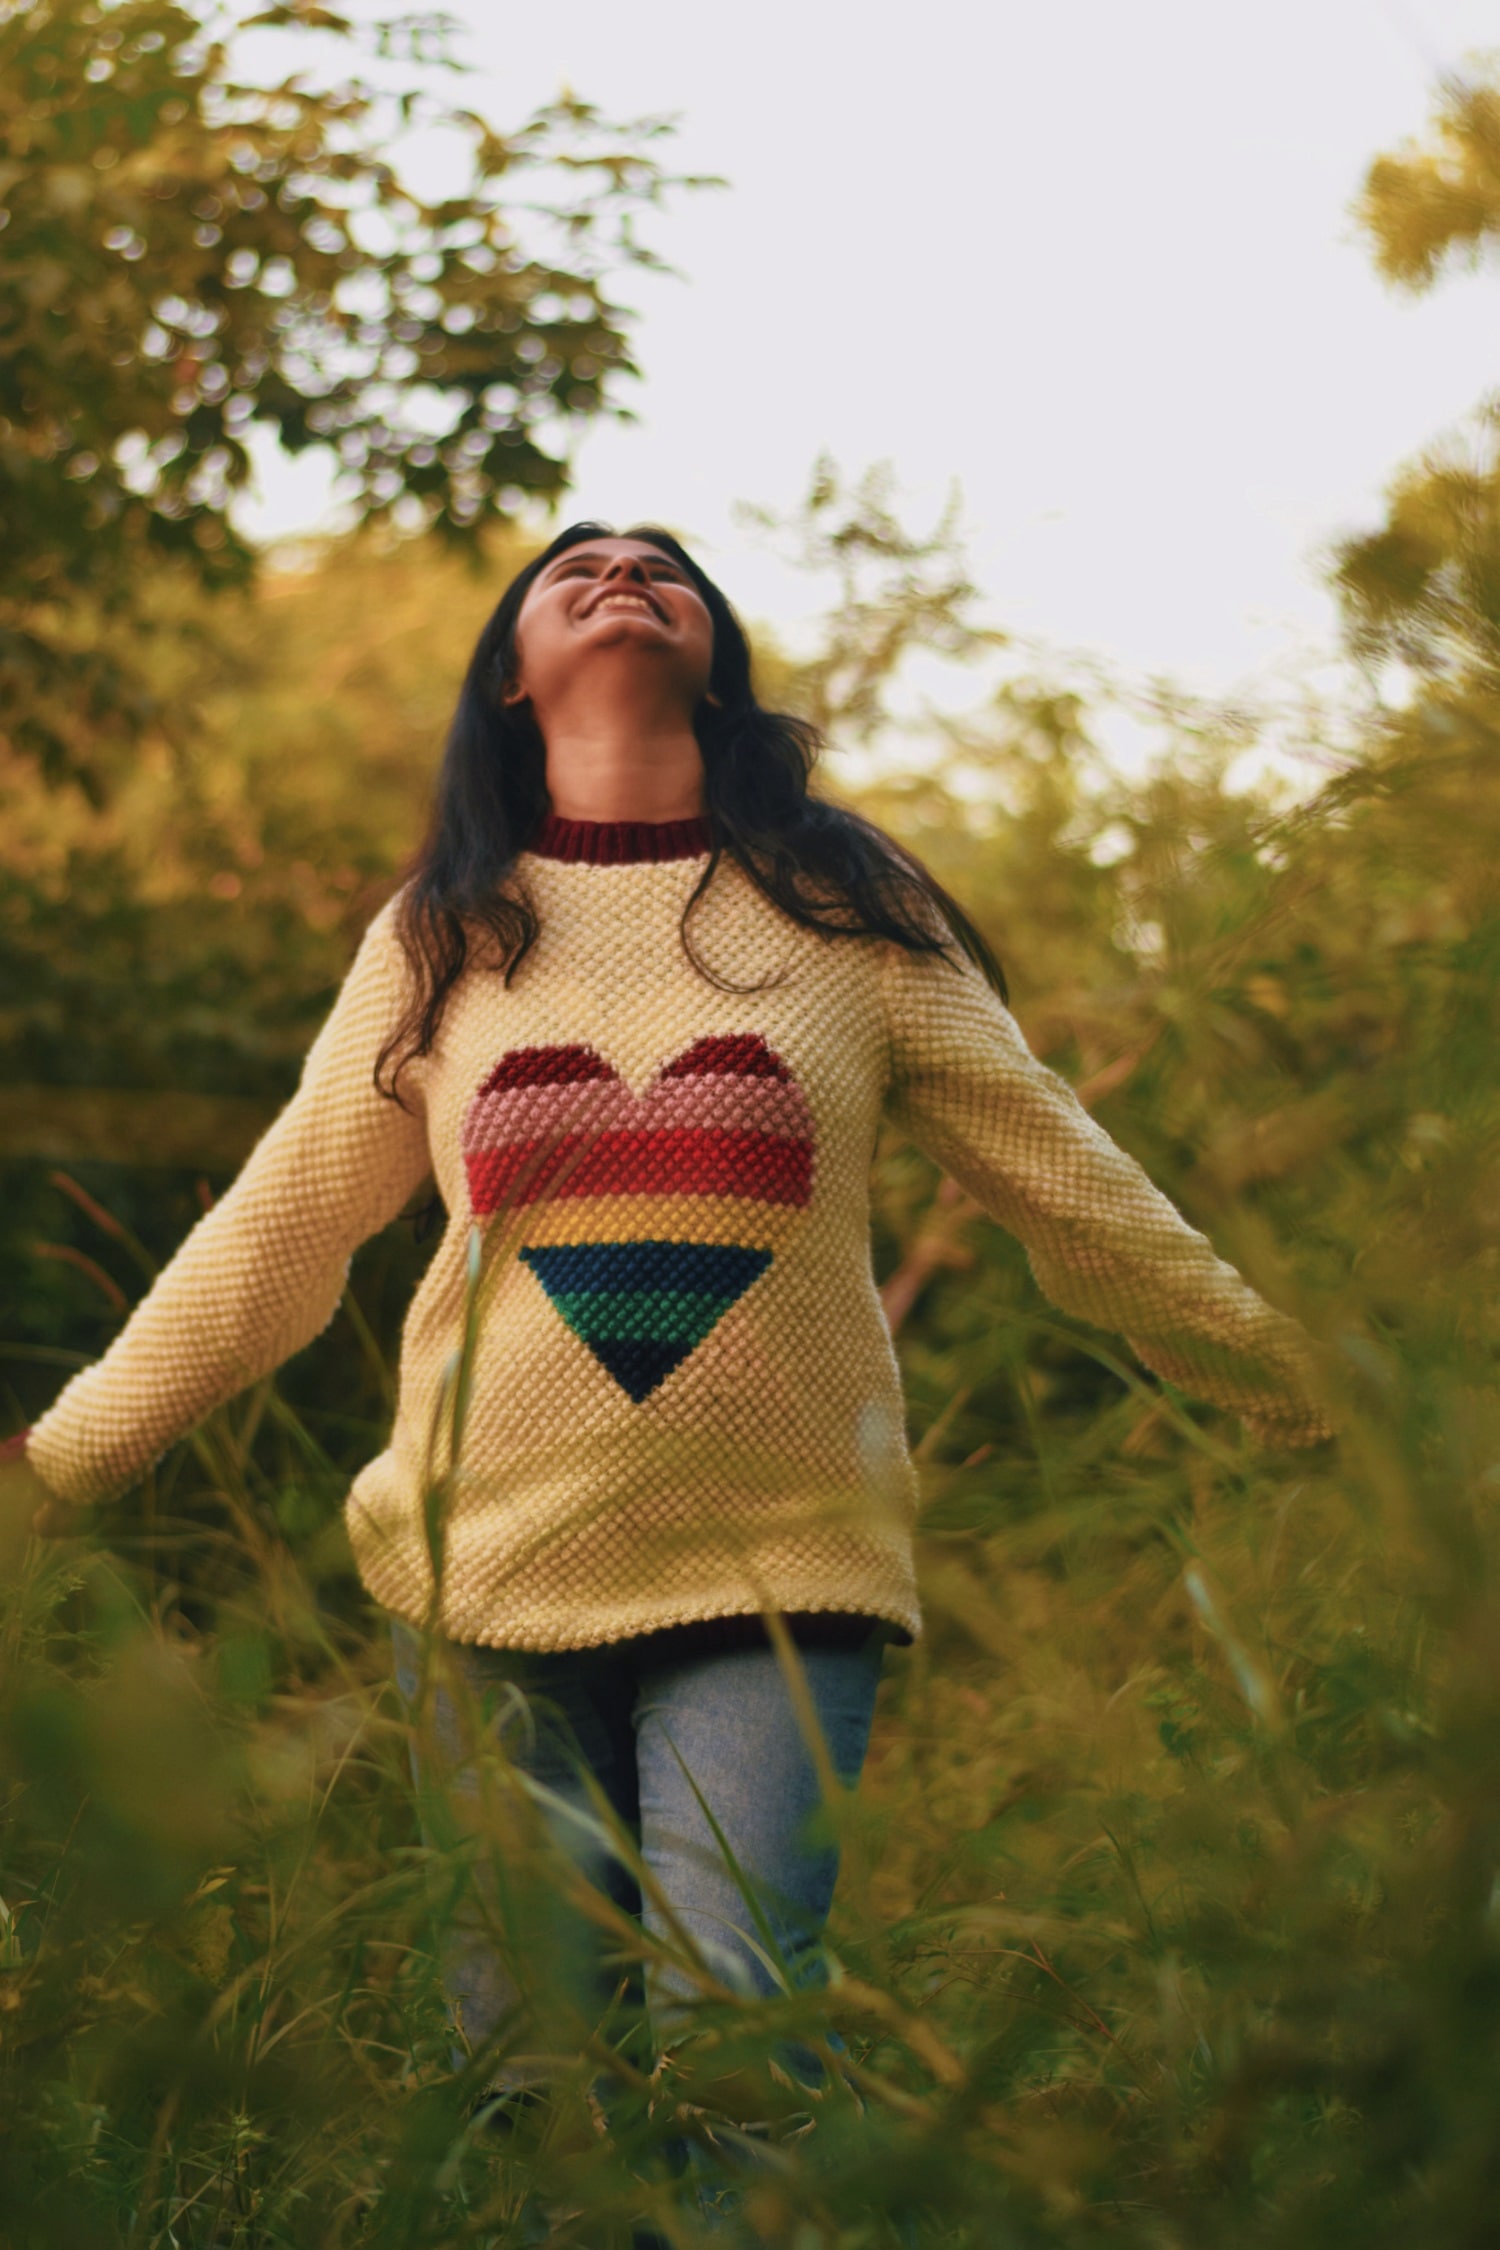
613	604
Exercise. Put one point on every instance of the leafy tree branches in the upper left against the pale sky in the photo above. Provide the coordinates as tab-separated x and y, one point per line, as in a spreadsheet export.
190	258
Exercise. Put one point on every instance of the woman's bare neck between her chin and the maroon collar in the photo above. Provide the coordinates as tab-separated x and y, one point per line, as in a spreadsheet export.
624	759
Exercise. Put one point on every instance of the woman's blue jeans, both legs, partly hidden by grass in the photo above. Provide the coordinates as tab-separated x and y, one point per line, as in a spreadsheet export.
671	1747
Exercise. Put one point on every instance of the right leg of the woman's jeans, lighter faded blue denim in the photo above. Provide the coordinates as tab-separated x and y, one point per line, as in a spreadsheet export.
728	1725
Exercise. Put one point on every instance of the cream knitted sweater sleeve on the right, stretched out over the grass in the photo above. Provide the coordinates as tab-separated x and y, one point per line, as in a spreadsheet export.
1103	1243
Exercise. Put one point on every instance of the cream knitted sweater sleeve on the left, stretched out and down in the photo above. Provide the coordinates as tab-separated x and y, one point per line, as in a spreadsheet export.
264	1270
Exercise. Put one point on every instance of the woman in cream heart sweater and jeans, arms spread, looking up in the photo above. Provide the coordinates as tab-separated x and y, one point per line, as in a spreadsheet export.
642	1007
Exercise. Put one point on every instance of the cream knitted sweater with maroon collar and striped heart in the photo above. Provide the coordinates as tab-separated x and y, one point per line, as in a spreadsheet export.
647	1376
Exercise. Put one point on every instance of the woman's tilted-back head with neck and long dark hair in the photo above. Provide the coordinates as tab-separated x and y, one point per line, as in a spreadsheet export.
613	685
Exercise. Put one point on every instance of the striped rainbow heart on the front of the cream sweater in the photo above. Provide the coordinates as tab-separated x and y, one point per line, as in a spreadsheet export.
644	1216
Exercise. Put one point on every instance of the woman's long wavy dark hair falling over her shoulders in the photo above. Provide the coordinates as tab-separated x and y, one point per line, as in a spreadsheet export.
824	867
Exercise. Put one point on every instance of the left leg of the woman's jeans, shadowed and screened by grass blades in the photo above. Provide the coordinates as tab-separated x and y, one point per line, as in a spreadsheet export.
509	1943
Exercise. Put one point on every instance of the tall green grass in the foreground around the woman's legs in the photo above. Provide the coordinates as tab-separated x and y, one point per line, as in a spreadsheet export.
1168	1905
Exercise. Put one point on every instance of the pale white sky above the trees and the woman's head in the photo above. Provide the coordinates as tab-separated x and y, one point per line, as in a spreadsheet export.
1094	262
